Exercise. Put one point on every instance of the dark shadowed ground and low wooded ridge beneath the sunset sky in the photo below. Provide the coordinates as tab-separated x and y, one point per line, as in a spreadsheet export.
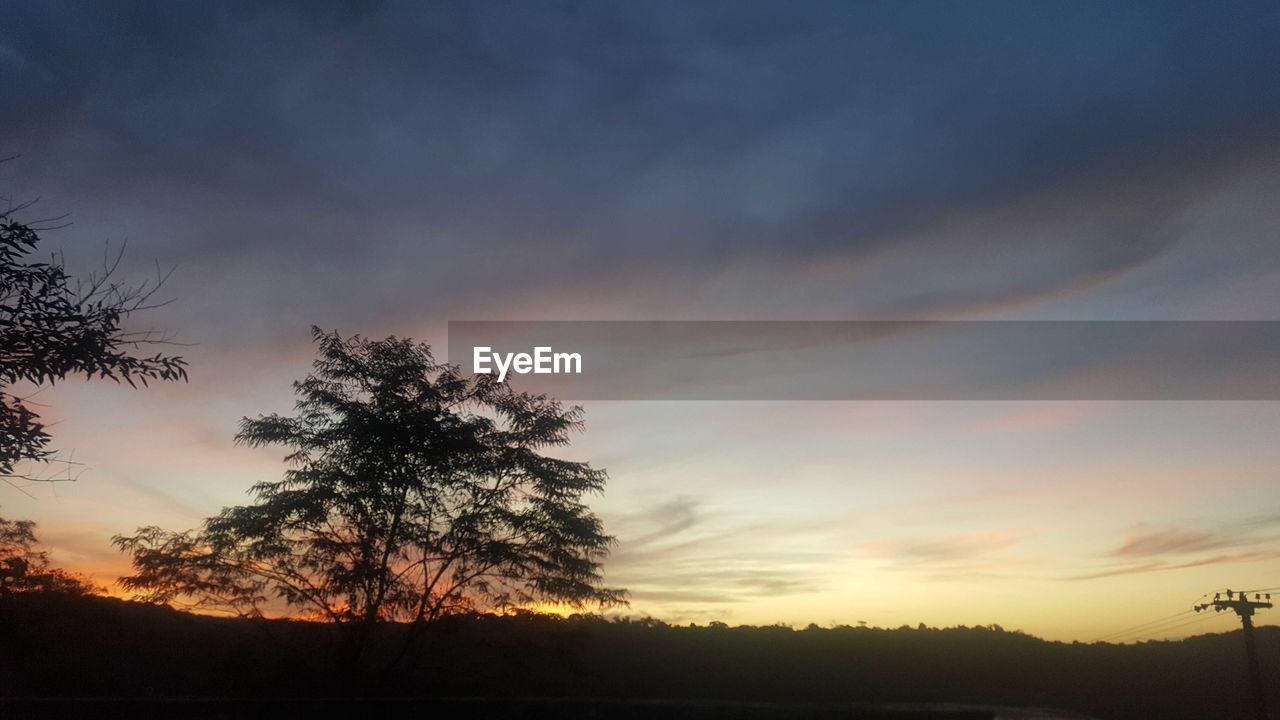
99	658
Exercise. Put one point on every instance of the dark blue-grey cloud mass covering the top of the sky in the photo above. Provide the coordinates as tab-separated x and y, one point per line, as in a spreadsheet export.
520	147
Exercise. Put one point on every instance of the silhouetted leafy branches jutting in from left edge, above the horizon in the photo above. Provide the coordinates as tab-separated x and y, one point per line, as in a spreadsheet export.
53	326
